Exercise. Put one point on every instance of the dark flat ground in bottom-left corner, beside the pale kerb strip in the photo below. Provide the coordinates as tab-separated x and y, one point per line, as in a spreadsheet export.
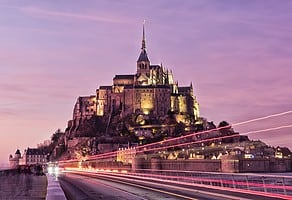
22	186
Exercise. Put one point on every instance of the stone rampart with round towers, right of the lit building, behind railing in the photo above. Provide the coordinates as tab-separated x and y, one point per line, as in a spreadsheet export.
228	164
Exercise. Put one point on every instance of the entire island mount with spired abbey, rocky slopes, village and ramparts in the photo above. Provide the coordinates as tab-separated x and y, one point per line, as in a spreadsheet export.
148	115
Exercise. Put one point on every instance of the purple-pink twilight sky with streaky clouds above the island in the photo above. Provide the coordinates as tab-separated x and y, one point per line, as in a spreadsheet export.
237	54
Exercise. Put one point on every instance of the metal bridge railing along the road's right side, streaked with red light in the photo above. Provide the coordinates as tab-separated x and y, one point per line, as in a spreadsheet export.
248	182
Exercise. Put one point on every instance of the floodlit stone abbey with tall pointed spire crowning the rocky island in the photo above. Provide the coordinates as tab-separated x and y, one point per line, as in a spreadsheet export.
150	91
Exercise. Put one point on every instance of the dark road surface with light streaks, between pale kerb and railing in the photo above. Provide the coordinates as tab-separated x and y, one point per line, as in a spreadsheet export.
82	185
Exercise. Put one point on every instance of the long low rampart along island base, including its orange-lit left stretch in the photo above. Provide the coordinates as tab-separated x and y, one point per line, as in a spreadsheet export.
203	165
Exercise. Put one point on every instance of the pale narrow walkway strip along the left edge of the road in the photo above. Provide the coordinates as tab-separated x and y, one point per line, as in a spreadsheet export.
54	190
